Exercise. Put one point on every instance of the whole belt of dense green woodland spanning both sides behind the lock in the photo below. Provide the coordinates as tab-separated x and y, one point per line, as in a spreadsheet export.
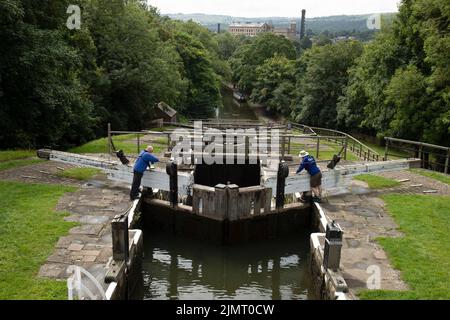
60	87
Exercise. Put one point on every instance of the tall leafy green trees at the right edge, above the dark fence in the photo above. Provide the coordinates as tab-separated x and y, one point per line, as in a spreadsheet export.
401	84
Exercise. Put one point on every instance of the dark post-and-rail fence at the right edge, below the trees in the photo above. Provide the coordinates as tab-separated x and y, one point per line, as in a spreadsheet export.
433	157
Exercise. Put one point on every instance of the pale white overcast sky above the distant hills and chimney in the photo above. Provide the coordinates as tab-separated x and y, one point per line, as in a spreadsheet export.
276	8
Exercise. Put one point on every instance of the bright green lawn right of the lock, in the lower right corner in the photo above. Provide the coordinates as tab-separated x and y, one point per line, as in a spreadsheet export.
423	255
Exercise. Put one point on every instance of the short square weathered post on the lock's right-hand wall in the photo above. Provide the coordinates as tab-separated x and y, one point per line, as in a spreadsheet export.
333	246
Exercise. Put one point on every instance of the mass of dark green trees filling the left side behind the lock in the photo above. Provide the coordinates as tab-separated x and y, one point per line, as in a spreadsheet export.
60	88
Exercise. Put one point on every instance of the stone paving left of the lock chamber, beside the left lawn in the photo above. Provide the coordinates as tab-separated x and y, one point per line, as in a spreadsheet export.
88	245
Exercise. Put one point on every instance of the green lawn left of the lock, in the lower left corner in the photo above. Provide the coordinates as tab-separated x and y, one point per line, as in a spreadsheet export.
29	230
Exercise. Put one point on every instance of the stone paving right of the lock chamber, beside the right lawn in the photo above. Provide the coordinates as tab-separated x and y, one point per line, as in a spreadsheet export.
363	217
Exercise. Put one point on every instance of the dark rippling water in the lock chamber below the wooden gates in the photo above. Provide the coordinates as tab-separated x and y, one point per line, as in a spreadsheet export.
177	268
